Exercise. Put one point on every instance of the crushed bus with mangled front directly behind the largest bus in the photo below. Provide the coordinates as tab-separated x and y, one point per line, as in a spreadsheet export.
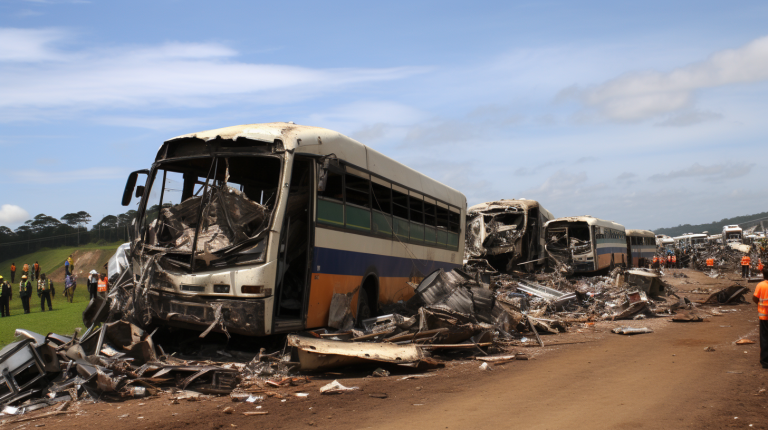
508	234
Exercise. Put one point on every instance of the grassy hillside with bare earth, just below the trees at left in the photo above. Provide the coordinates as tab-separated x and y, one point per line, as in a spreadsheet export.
87	257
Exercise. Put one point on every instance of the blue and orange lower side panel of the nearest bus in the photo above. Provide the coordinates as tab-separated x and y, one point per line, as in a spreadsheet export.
339	271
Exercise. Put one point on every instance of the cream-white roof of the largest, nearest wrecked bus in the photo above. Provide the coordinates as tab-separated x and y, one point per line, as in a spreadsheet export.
321	141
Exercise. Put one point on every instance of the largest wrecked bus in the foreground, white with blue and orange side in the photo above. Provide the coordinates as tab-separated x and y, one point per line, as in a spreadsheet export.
254	228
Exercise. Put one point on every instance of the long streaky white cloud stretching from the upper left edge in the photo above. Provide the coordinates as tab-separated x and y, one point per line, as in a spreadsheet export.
37	77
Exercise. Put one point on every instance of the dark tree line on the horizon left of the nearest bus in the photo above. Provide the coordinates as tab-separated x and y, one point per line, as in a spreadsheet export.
45	231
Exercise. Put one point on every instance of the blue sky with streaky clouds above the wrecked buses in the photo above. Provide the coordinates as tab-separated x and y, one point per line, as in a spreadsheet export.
650	114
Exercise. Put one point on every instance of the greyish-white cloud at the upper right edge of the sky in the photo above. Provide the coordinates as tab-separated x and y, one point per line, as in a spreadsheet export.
642	95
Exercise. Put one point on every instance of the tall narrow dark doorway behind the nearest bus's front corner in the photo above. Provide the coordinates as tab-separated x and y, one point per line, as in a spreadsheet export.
295	251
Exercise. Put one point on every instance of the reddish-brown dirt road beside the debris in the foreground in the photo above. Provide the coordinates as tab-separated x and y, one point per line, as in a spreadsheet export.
663	380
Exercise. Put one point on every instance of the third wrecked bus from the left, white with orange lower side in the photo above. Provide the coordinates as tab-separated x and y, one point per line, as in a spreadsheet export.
586	243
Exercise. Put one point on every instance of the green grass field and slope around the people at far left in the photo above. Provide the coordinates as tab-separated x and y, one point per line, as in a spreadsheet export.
65	316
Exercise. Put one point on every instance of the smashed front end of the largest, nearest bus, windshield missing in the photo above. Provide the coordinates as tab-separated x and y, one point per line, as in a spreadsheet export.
202	251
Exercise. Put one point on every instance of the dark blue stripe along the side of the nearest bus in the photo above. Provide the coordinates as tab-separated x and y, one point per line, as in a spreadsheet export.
337	262
